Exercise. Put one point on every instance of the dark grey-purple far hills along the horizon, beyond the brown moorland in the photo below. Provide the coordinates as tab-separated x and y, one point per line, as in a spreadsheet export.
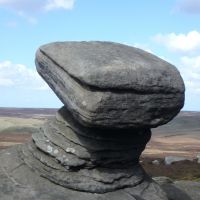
185	122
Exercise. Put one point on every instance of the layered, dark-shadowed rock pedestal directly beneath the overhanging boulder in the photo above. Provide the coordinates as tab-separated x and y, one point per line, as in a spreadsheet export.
96	163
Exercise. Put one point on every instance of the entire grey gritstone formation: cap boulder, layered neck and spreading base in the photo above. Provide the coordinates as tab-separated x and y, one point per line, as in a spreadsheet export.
112	94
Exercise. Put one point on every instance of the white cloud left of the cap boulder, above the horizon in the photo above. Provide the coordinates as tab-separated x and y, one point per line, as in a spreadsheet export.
20	76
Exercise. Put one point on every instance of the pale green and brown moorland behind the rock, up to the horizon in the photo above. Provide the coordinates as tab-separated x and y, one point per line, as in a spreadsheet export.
180	137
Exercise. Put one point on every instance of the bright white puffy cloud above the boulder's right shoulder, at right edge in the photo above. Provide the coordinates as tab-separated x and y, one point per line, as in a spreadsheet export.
185	43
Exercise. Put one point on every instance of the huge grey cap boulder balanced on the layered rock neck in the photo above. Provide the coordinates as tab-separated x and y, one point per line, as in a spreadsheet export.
107	84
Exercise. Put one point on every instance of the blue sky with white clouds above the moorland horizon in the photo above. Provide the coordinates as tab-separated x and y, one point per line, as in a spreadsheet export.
169	29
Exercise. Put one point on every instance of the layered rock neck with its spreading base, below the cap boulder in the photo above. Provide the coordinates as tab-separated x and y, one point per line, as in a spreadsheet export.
86	163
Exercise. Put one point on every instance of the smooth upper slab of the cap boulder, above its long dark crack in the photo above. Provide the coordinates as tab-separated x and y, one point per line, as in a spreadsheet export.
107	65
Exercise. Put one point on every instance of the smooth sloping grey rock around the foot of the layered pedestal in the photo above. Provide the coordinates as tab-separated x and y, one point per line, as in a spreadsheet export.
20	181
